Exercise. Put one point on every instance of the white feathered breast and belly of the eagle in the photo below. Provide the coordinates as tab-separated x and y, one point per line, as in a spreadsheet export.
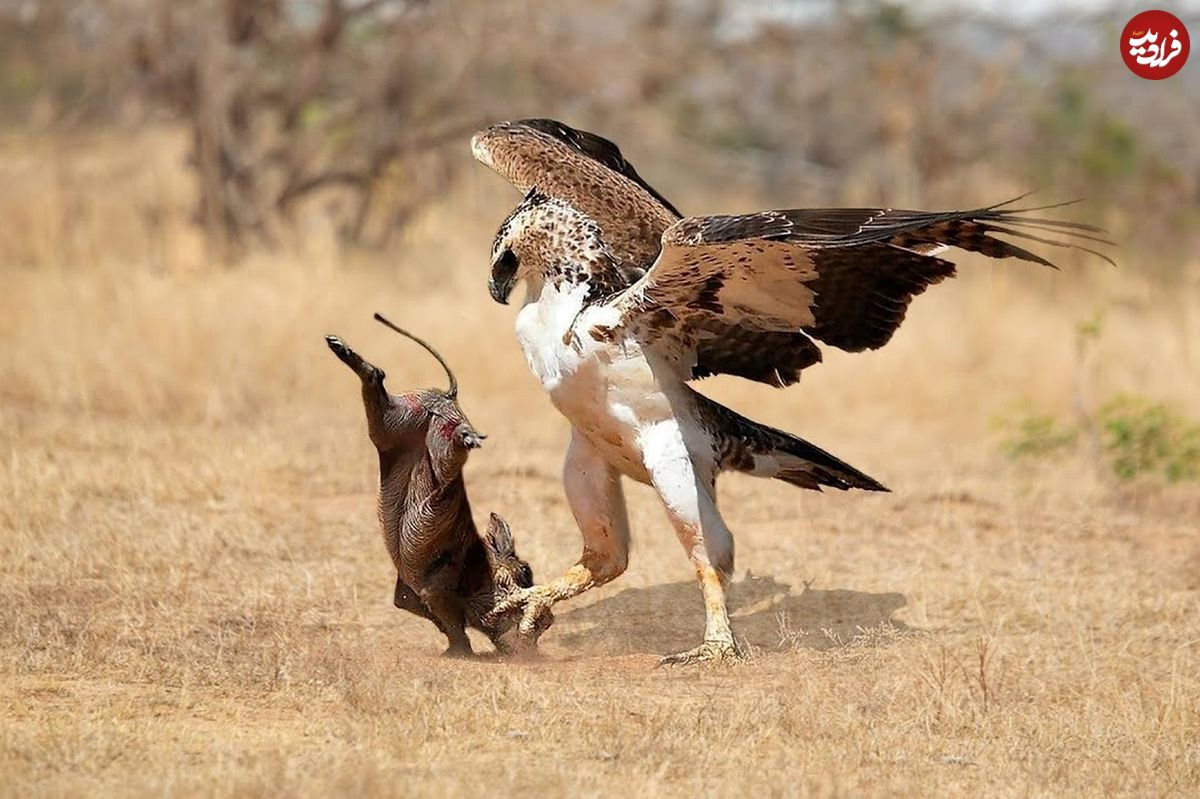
605	388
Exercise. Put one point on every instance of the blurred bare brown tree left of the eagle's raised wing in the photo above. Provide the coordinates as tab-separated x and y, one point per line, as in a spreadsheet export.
285	101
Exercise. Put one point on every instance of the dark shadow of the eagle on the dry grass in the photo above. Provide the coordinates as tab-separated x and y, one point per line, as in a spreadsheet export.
766	614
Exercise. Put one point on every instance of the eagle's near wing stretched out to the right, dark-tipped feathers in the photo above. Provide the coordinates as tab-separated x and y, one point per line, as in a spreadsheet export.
748	295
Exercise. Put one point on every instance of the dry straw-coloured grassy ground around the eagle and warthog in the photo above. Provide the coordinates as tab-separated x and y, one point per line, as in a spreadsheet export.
195	598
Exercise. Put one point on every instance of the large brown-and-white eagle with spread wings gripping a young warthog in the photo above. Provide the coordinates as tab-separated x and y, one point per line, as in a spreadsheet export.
628	301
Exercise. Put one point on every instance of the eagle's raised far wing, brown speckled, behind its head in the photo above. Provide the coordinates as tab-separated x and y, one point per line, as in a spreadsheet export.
586	171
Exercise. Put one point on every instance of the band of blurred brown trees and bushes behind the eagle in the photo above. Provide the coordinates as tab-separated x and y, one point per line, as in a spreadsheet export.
352	116
